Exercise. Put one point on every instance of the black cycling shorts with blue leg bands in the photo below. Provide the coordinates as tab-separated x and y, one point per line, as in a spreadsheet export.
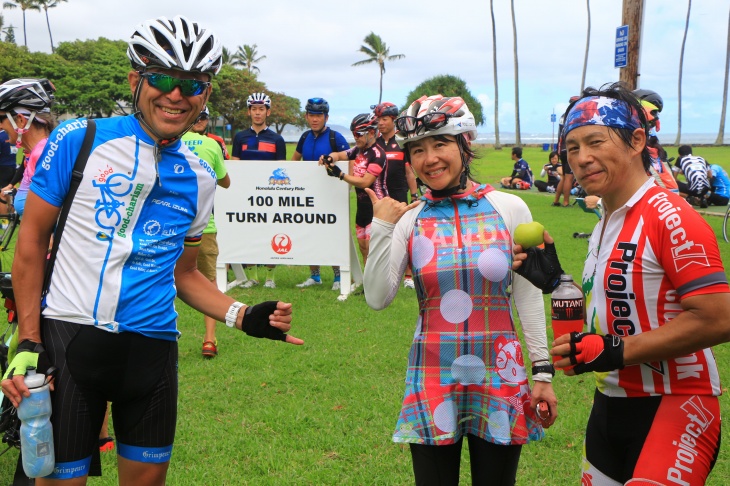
137	374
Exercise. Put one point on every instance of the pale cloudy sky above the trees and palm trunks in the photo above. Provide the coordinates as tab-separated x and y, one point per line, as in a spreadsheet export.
310	47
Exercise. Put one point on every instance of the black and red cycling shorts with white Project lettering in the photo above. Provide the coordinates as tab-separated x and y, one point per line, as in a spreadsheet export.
667	439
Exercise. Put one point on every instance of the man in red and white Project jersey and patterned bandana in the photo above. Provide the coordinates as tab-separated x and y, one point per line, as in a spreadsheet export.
659	299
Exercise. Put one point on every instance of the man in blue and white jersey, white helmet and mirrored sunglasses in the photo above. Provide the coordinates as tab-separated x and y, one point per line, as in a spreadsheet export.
108	320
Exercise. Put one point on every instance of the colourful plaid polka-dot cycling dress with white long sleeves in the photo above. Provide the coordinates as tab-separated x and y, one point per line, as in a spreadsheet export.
466	371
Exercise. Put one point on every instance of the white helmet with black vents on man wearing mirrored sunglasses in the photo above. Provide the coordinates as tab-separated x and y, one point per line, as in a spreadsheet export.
175	43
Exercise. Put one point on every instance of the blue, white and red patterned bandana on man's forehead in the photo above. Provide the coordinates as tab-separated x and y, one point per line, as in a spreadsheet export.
604	111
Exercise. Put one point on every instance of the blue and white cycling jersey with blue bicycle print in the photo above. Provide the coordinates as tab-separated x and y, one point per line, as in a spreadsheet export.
126	227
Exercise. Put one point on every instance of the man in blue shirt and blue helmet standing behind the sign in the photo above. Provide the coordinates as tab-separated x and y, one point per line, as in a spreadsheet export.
318	141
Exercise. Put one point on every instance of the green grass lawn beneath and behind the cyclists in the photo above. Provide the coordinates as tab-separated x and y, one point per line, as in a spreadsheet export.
267	413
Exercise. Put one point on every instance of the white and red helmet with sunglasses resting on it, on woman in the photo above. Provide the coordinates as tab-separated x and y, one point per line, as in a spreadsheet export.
436	115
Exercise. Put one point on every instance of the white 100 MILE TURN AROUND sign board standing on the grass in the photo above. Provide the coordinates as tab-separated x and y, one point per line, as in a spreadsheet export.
283	213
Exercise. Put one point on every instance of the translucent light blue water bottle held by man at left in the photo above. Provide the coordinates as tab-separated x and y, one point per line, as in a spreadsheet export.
36	431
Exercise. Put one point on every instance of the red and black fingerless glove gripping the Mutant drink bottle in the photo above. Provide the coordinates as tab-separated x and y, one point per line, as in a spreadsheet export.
594	352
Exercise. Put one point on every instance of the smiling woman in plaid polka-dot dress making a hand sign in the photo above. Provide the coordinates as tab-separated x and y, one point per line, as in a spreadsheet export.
466	371
